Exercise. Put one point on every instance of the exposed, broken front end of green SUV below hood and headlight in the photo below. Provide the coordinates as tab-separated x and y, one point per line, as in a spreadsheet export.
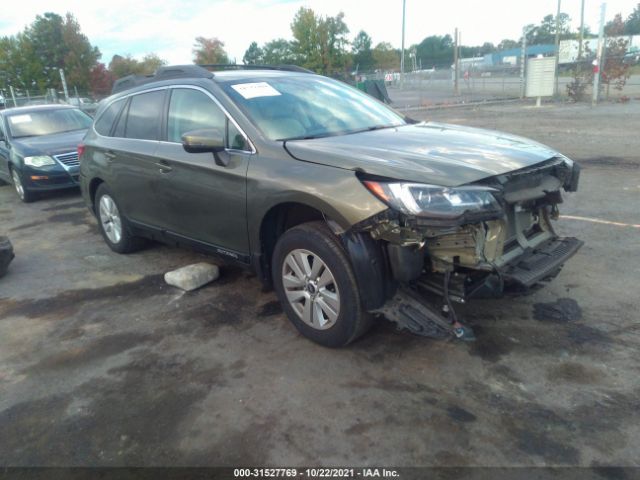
513	252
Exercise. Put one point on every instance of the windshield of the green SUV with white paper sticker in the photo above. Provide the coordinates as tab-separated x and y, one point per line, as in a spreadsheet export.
306	106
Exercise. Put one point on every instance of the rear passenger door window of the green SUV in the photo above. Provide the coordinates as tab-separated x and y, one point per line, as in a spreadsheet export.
145	115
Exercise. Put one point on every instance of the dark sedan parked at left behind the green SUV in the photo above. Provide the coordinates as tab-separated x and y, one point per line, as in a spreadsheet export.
39	148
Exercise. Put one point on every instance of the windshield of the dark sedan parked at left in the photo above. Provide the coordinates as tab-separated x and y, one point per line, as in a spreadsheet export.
47	122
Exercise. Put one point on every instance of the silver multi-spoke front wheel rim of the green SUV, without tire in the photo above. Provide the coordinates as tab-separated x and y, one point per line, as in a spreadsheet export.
311	289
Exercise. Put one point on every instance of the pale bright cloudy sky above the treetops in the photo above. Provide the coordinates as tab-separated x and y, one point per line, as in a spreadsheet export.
169	27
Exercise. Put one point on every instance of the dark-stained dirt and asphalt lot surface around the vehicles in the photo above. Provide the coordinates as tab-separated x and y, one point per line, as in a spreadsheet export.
101	363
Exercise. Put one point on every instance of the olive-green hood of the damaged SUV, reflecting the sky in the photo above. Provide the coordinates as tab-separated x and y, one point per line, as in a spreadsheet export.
434	153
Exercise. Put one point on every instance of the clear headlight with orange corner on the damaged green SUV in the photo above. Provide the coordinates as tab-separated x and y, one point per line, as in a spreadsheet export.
433	201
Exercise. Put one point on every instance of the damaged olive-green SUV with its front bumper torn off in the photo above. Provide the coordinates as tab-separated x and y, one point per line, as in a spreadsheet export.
344	206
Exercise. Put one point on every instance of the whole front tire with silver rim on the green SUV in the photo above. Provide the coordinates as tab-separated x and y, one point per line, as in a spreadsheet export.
326	309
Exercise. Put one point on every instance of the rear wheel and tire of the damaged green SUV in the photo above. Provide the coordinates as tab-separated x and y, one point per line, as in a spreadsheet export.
113	225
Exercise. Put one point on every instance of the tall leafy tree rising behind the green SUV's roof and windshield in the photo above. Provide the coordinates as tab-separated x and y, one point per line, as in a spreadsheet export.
320	42
